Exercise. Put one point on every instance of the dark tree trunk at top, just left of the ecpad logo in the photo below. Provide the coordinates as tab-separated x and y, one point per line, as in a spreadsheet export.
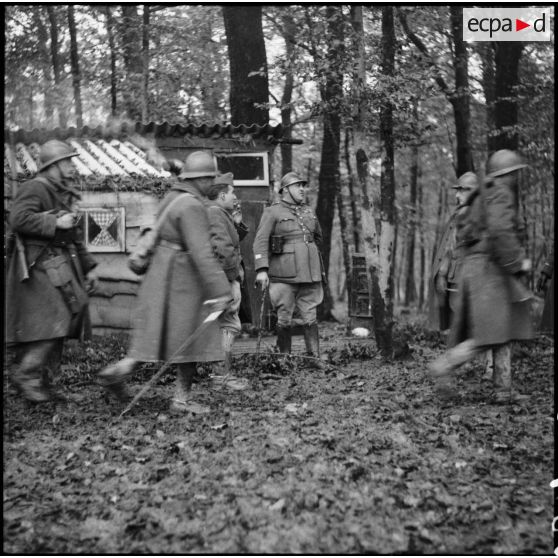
460	98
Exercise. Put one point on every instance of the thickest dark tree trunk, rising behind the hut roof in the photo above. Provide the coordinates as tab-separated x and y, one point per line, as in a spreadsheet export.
249	93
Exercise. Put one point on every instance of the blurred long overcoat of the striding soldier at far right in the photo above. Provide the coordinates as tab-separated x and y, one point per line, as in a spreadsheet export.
492	305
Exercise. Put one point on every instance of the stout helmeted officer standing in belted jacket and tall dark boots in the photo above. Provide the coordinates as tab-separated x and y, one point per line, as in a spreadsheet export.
287	259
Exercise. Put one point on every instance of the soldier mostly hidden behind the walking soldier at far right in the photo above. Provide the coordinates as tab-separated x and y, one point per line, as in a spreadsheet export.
446	262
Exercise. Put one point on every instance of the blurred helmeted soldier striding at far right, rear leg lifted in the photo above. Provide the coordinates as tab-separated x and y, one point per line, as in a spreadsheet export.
493	305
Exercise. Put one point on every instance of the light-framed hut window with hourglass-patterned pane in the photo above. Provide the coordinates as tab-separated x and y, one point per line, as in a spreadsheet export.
104	229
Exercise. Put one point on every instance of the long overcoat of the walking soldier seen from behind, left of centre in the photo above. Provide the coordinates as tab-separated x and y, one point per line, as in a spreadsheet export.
176	284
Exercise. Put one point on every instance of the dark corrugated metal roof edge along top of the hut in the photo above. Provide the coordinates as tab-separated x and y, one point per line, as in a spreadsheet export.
158	129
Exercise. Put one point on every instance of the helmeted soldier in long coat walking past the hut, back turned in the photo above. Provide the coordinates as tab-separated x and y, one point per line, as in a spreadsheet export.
184	273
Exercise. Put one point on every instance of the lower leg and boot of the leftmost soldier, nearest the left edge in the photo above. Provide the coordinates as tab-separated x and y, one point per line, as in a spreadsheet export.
28	376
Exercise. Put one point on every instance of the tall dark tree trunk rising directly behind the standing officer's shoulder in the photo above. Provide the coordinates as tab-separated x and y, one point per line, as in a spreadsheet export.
331	91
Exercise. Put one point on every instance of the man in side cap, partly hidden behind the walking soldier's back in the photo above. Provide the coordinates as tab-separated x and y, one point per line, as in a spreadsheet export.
227	230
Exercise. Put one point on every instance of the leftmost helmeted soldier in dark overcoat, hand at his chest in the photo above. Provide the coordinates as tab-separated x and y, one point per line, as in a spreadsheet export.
49	276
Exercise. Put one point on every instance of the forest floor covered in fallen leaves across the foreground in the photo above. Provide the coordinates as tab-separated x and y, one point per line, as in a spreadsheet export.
363	457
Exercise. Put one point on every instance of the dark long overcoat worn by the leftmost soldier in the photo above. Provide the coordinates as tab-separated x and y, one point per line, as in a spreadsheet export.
35	308
